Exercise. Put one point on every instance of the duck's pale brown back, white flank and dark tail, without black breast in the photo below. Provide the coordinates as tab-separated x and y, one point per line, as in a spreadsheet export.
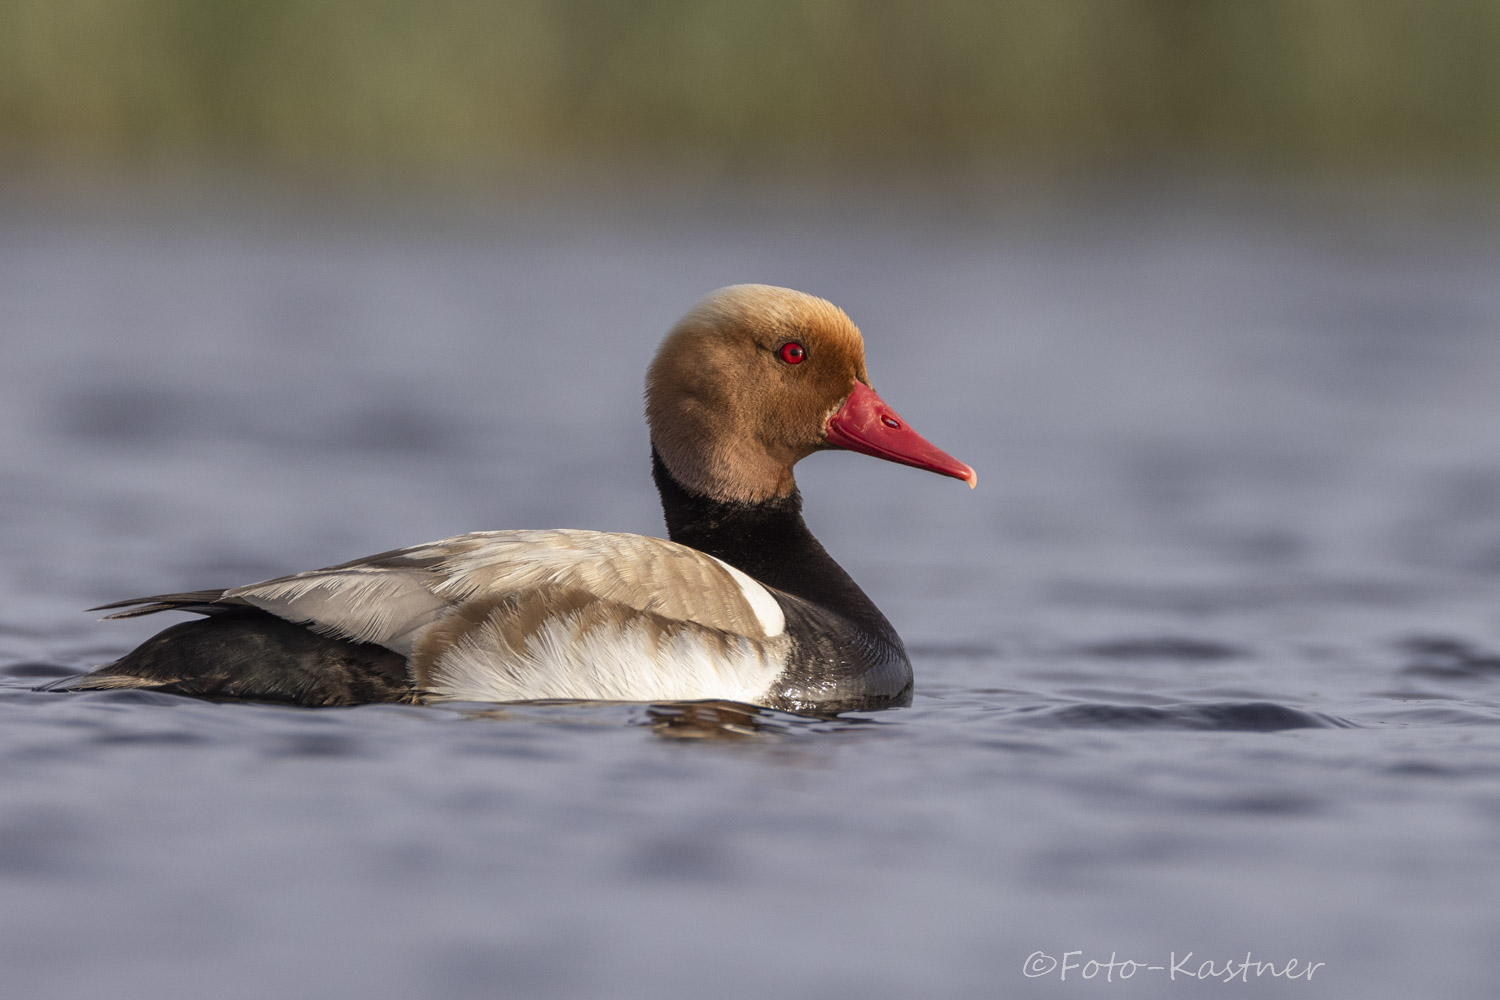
500	615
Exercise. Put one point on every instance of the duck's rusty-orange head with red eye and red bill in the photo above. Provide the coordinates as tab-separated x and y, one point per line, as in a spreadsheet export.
754	380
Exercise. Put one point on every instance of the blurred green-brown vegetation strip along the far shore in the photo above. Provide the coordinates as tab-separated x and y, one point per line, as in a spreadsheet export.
458	86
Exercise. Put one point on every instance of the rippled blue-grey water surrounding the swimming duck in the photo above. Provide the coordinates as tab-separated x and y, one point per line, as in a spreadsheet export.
1210	662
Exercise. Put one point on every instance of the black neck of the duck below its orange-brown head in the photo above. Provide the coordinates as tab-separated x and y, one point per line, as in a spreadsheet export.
767	540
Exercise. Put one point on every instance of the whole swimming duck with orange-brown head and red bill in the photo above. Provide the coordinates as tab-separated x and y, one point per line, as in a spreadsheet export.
739	603
